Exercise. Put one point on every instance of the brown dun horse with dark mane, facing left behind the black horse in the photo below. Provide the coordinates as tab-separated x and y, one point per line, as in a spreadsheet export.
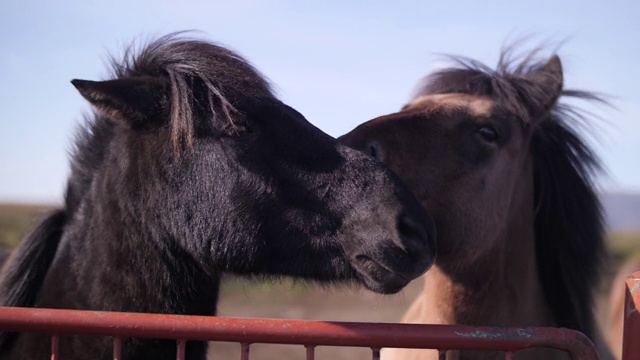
499	164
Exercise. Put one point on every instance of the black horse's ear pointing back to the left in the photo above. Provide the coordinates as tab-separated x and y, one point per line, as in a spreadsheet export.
134	100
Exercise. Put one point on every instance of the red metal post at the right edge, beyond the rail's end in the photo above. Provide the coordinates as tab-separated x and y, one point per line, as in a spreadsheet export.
631	333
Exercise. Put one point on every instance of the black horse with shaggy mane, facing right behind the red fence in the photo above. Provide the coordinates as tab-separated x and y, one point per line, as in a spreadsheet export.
189	168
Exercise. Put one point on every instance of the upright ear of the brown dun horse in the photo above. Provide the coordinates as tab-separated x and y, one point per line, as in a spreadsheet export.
548	81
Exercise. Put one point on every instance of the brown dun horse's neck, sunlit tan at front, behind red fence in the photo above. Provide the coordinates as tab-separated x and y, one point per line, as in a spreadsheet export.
500	288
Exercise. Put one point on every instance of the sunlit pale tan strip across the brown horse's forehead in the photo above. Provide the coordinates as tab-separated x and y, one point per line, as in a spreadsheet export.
475	105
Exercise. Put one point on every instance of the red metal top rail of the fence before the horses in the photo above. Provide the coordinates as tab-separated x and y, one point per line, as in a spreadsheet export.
303	332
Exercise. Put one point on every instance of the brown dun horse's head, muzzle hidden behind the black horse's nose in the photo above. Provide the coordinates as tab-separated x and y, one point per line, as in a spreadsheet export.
463	145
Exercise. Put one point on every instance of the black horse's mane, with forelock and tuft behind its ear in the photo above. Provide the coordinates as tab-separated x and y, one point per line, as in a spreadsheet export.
226	83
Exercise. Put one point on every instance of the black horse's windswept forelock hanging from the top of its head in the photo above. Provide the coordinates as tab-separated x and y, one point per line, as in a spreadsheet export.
201	75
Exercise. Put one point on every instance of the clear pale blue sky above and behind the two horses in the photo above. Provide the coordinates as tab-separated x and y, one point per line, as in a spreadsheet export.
340	63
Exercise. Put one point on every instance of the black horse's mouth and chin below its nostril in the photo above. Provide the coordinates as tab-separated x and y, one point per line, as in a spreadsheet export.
377	277
